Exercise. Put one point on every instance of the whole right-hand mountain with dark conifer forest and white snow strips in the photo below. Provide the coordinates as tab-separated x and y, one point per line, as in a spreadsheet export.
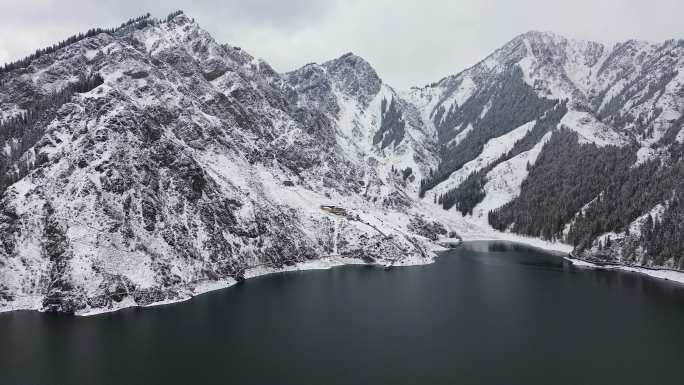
567	140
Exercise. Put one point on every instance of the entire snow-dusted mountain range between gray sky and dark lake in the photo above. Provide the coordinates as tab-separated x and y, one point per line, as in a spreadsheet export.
149	163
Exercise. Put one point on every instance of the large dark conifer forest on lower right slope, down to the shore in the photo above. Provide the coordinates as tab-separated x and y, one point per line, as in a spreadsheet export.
598	191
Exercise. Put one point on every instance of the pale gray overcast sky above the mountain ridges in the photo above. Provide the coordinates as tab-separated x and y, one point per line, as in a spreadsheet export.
408	42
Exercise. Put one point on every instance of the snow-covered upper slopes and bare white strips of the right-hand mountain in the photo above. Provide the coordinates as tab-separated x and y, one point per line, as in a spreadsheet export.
627	94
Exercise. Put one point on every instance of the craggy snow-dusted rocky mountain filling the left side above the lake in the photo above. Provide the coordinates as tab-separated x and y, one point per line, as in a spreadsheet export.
168	174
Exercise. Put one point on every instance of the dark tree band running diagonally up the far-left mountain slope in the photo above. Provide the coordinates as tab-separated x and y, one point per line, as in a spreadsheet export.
22	132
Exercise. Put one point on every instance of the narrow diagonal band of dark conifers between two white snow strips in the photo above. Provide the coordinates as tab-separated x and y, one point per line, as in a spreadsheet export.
471	192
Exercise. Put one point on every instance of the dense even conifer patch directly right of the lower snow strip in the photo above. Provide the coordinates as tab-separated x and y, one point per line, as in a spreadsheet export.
565	177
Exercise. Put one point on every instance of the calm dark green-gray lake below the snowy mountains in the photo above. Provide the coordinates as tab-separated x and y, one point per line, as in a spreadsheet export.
486	313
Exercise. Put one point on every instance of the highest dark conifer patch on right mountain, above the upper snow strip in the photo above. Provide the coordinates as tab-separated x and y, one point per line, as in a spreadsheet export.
511	102
